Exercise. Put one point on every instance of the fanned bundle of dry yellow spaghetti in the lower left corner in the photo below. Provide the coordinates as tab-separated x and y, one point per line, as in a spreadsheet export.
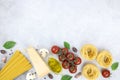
17	65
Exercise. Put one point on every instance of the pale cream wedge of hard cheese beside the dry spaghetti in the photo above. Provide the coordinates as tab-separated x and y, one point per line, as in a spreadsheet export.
38	63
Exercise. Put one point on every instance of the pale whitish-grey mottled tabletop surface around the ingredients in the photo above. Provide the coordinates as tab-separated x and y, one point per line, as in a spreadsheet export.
46	22
